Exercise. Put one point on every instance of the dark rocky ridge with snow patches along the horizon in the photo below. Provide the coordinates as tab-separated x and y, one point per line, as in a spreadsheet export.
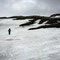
51	21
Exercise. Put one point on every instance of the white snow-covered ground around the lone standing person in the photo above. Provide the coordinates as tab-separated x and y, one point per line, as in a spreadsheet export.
22	44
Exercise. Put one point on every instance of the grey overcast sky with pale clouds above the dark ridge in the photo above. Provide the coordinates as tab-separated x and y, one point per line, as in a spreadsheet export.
29	7
